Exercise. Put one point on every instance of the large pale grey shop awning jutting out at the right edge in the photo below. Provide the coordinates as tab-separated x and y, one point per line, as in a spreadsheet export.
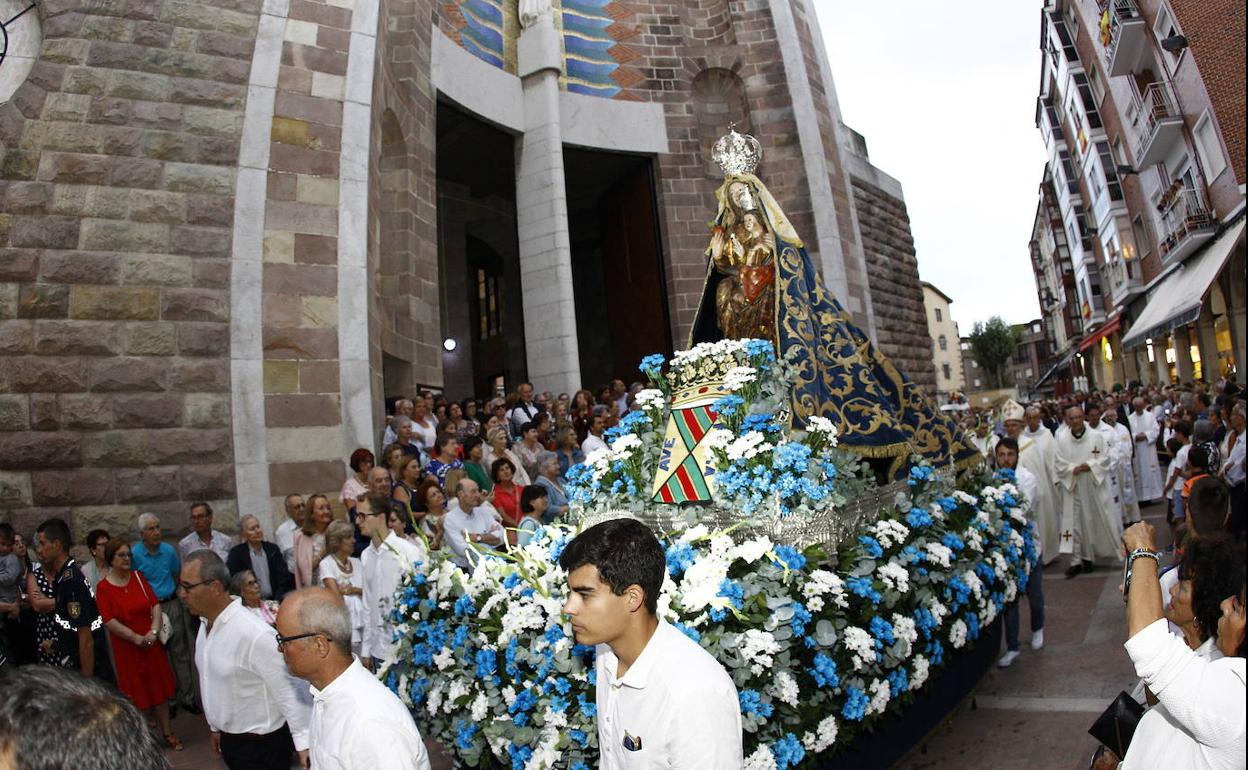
1177	299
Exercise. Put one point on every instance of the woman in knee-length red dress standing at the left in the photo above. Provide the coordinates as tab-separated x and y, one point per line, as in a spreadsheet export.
132	613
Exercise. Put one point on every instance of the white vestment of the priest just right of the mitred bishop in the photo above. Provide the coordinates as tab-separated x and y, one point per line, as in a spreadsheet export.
1090	529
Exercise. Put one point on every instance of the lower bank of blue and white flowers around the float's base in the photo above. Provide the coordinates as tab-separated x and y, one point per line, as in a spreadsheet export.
819	645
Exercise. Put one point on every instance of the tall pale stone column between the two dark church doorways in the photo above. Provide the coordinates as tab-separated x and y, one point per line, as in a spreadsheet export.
542	218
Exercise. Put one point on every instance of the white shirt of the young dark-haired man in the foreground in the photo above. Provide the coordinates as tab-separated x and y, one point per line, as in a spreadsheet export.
677	701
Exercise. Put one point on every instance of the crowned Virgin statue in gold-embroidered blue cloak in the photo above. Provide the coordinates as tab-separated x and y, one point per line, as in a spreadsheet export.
761	283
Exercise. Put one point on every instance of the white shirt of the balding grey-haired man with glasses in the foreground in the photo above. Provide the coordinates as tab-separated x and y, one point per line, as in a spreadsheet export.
358	723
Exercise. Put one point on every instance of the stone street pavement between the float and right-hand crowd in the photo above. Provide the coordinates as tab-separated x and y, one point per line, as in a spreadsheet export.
1036	713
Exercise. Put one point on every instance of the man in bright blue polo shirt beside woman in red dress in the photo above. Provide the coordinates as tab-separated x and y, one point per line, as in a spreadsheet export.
160	566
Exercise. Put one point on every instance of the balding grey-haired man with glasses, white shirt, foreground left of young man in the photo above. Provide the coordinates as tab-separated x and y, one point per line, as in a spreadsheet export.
358	722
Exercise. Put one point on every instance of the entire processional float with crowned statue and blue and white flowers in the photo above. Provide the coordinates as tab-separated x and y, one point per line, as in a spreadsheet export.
831	539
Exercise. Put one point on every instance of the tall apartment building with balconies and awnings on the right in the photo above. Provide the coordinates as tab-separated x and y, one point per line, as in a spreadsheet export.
1138	246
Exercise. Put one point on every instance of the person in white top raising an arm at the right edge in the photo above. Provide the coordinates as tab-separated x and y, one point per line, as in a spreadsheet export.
1200	719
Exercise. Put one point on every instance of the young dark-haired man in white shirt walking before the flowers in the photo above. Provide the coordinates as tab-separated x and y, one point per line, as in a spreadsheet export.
663	702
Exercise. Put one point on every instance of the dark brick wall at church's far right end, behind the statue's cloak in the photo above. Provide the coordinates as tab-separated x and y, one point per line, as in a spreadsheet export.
900	318
